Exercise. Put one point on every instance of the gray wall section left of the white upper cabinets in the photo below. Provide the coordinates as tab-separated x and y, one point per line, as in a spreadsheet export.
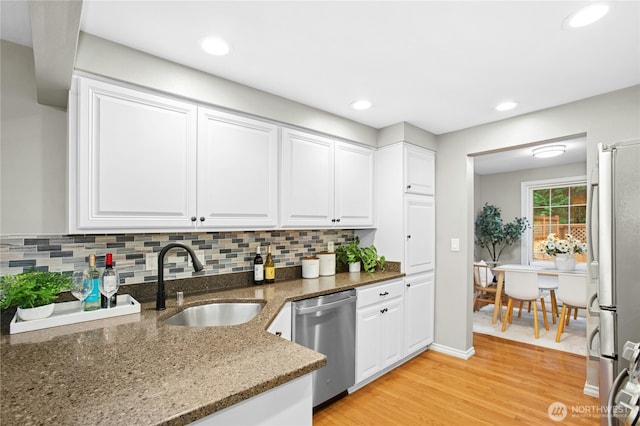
33	151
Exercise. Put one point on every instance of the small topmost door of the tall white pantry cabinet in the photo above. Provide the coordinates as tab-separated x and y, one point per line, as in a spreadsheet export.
419	170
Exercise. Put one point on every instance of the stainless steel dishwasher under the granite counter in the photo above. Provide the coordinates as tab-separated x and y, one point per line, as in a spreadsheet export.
327	324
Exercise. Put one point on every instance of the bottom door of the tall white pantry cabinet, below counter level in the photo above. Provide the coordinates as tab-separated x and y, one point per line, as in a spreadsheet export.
419	312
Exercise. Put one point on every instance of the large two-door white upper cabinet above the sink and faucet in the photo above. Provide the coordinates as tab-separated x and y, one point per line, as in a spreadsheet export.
148	163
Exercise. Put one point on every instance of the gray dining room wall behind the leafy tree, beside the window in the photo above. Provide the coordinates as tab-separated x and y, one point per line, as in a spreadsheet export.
504	191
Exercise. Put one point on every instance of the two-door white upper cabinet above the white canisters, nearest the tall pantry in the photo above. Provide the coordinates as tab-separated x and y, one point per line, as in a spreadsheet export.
325	183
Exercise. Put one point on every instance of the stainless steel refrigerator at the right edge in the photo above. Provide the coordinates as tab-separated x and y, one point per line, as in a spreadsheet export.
615	260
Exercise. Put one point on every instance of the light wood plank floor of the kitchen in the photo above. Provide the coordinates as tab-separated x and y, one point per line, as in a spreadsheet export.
504	383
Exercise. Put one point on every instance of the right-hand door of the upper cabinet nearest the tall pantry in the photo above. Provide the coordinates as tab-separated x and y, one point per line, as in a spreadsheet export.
354	185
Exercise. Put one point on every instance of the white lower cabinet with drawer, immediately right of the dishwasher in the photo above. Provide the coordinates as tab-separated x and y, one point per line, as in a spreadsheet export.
379	323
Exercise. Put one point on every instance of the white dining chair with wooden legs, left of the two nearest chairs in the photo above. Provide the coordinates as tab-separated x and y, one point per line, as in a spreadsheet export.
523	286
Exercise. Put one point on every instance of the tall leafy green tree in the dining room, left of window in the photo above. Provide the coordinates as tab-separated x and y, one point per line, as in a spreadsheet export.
493	234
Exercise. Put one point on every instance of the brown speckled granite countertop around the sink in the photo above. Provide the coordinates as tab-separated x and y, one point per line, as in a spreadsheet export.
135	370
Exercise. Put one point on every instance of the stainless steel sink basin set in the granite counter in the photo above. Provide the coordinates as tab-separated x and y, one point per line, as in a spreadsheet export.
216	314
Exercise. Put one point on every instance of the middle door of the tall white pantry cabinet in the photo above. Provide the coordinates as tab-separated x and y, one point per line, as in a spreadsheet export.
420	234
